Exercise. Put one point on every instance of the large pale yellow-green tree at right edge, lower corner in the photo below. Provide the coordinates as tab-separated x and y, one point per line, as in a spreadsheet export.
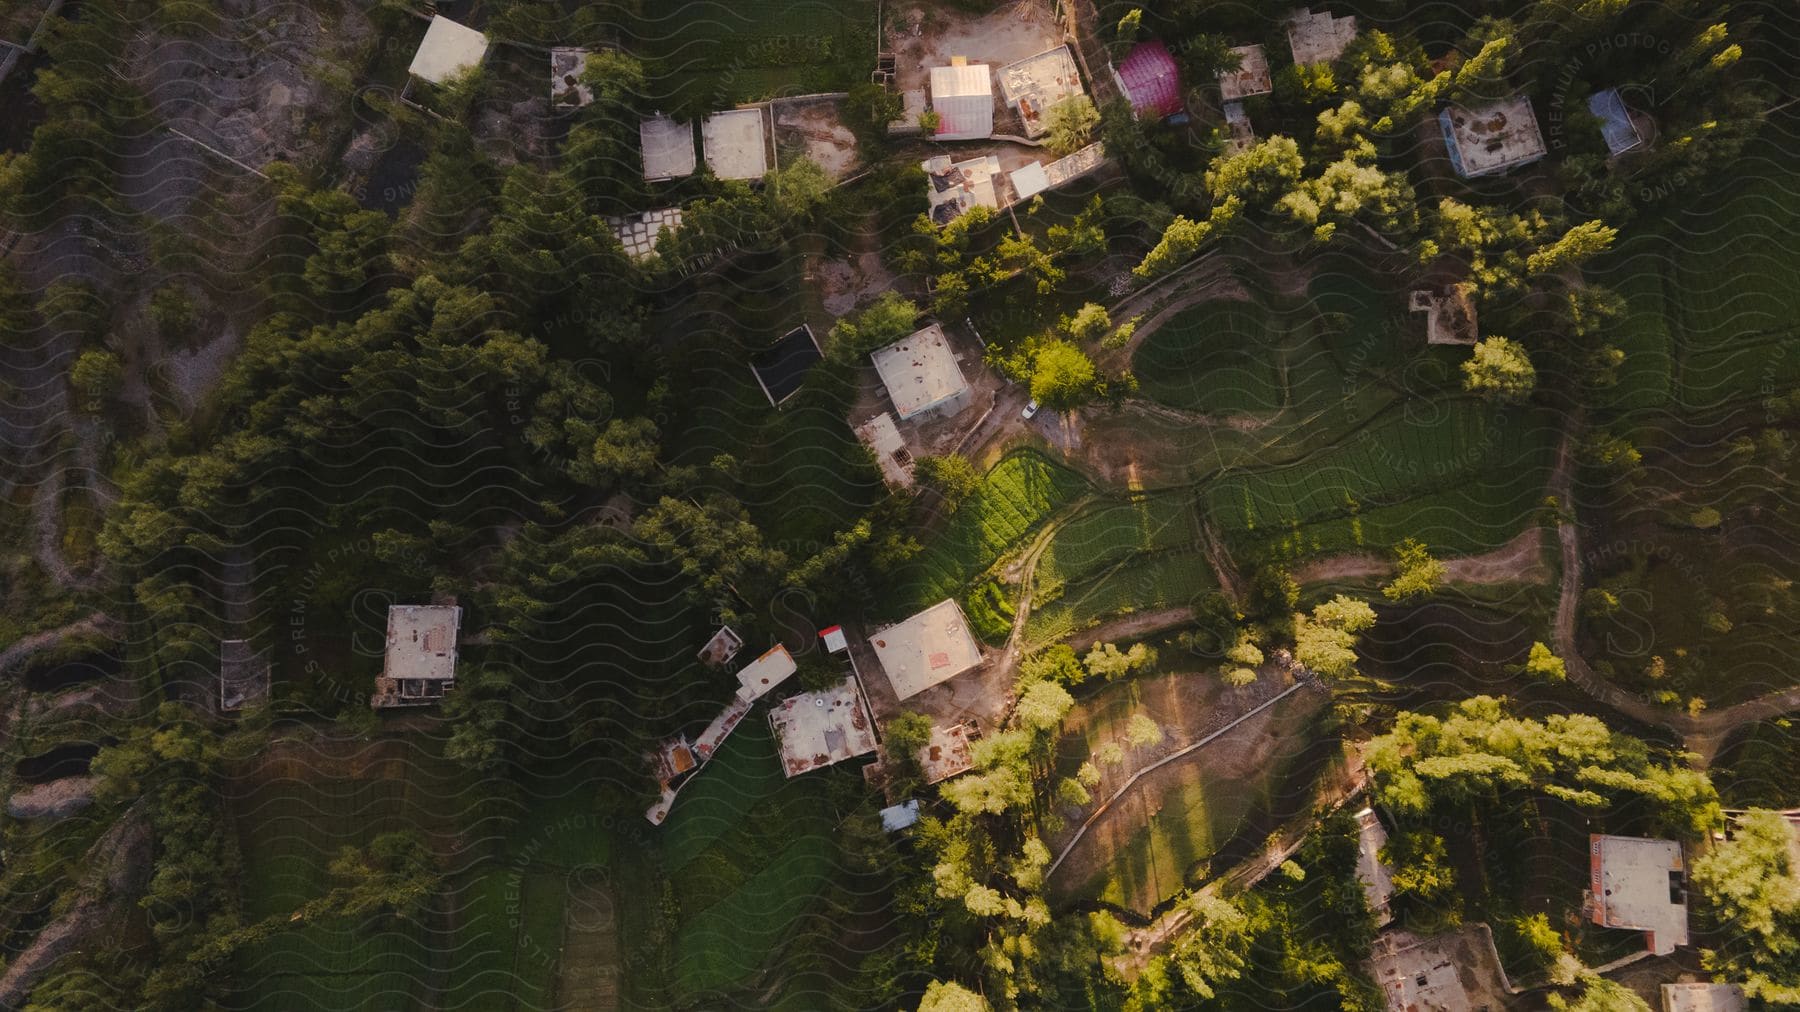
1754	890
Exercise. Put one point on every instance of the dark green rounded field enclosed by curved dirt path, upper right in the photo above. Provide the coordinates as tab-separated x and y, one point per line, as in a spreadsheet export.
1216	357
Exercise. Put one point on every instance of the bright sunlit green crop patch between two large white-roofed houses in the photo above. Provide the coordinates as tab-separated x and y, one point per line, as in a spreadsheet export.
1016	496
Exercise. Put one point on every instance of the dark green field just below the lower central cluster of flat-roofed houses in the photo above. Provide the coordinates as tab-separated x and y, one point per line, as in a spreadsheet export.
748	853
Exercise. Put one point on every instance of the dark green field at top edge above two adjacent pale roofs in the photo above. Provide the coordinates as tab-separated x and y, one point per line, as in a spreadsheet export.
710	53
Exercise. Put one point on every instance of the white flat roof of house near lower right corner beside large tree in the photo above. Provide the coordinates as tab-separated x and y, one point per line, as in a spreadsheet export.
1641	885
